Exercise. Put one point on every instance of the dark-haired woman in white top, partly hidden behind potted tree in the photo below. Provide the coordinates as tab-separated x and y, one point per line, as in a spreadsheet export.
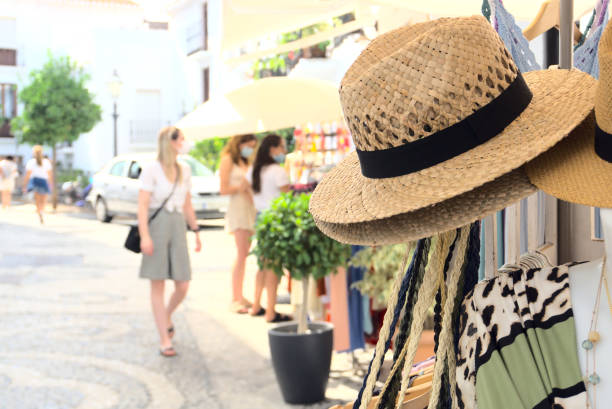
268	180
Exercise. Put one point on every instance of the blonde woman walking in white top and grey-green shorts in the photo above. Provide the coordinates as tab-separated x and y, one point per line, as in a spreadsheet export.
166	183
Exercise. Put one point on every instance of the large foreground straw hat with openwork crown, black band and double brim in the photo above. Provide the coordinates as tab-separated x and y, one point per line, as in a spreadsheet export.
437	110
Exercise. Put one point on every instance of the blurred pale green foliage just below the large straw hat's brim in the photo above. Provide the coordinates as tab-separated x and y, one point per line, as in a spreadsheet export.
385	261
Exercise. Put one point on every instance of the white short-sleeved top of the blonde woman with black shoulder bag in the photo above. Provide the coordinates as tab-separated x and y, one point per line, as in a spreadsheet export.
154	180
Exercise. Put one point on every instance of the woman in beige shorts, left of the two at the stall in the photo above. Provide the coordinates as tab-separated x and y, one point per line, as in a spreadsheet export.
240	216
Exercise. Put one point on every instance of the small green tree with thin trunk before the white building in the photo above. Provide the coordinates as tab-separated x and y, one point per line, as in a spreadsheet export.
58	107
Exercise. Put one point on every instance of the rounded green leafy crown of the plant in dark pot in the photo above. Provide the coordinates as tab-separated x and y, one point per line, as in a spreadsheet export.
288	239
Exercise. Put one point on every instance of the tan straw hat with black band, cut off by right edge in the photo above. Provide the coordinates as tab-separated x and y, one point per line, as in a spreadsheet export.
579	169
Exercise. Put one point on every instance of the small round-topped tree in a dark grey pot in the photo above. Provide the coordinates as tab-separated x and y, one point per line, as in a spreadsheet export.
288	240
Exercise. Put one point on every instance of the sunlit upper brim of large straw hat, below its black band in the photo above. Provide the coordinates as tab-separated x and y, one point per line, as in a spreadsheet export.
561	100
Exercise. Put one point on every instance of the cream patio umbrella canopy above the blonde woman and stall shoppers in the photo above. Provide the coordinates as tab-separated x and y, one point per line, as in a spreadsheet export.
264	105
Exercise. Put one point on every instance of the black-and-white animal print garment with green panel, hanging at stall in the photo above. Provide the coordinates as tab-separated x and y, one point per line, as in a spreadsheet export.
493	316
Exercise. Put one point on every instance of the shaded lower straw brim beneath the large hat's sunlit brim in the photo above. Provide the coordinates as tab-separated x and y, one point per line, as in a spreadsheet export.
444	216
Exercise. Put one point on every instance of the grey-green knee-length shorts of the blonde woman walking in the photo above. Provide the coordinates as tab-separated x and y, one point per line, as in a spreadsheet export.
170	259
